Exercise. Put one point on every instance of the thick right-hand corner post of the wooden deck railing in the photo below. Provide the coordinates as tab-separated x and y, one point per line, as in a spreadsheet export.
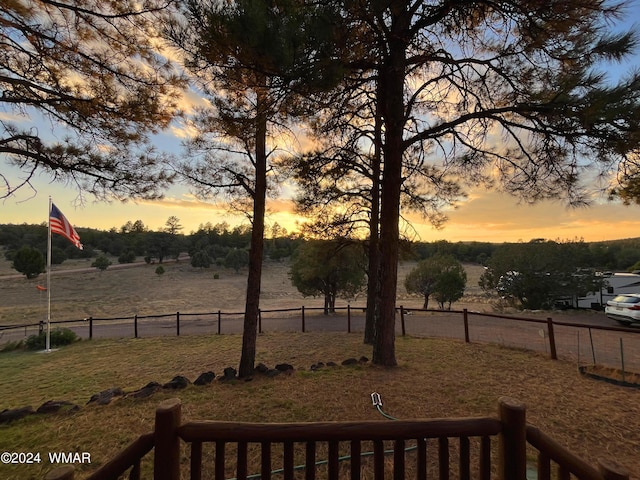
512	463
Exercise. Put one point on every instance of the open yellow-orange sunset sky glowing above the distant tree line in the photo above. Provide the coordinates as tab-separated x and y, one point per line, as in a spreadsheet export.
485	215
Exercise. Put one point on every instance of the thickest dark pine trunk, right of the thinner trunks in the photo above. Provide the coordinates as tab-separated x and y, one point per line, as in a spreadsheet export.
392	88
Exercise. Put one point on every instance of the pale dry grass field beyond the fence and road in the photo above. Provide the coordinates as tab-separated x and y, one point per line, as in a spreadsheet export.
125	292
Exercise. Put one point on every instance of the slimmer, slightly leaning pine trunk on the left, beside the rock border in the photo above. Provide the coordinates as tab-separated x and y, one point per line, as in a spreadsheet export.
252	303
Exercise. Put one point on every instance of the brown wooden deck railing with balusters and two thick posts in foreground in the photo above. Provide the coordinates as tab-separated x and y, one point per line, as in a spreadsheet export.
260	450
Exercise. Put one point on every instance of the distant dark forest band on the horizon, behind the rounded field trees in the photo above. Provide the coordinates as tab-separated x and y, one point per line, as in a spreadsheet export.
215	241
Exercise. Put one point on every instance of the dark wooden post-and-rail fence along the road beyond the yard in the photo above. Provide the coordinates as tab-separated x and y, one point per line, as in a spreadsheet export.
602	345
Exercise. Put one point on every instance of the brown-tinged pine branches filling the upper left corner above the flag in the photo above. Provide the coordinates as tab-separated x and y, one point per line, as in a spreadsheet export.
92	69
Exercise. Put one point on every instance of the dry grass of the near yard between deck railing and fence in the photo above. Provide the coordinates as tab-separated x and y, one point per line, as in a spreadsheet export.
435	378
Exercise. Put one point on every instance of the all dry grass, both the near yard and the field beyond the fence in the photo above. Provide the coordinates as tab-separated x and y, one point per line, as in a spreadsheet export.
435	378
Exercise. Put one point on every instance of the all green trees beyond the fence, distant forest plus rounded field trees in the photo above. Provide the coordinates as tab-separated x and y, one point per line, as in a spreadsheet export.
534	274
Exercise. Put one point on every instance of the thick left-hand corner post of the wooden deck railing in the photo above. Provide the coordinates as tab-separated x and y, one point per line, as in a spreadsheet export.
166	463
